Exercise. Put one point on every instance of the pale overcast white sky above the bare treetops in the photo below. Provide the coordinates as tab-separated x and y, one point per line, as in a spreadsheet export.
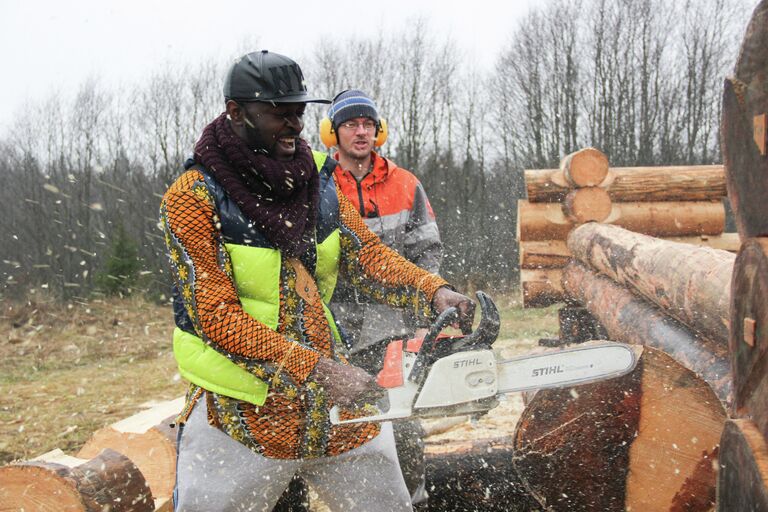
50	45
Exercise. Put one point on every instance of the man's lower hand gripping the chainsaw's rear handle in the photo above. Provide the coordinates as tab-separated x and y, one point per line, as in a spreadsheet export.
347	385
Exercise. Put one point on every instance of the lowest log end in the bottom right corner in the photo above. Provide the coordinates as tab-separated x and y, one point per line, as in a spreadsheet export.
742	481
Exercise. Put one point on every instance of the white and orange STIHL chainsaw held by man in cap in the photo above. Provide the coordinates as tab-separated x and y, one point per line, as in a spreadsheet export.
443	375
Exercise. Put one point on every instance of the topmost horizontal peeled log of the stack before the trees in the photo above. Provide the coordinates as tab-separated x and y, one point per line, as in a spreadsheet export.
627	184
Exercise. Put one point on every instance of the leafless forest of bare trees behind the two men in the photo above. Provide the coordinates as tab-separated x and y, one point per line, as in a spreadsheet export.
641	80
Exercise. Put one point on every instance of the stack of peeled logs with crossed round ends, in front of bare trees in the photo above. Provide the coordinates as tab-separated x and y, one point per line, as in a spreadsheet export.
680	203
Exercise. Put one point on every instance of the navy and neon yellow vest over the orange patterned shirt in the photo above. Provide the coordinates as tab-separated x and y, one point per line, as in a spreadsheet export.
256	271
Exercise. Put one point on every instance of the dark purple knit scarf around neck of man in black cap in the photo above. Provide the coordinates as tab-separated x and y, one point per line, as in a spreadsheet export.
281	198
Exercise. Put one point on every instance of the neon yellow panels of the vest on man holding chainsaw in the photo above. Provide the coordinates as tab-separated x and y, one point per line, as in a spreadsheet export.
256	273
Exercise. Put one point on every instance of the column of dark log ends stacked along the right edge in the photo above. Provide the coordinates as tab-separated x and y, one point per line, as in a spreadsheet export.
743	476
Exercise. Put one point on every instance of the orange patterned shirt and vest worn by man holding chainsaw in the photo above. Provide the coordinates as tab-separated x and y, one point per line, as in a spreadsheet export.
251	324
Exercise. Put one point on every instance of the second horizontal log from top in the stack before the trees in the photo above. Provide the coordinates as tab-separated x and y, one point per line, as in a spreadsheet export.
546	221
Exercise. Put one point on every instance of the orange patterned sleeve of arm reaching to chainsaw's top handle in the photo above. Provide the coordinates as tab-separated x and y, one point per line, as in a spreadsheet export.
380	272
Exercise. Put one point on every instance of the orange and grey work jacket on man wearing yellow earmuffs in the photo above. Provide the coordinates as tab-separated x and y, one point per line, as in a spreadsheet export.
395	206
